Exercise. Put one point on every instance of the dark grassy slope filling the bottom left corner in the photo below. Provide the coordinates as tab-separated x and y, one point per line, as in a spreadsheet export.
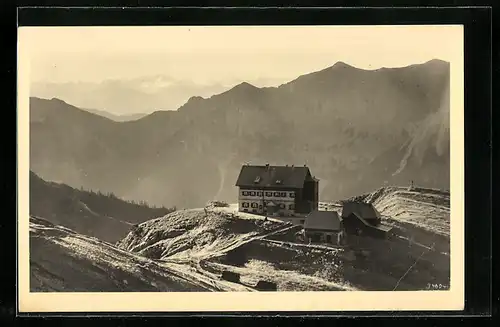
62	260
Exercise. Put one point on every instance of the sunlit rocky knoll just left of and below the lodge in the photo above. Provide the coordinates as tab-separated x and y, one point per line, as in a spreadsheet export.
194	234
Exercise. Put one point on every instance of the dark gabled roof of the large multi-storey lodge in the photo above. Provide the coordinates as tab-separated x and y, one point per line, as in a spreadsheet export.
273	176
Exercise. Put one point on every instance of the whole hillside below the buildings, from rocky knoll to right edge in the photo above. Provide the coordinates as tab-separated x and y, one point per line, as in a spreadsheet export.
258	249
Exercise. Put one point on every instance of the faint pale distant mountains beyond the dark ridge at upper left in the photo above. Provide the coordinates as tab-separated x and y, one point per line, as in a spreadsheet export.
144	94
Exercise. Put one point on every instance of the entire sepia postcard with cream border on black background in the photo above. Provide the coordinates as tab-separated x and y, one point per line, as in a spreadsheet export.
240	168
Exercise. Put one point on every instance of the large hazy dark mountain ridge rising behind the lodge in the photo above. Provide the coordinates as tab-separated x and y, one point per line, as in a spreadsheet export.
356	129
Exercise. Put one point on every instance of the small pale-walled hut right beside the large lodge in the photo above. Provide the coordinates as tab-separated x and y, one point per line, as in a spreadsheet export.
323	227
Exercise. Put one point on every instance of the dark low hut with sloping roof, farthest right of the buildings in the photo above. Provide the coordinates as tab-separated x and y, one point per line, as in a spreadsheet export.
361	218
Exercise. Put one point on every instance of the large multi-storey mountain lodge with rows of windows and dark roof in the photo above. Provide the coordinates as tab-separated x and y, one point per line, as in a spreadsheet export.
283	191
